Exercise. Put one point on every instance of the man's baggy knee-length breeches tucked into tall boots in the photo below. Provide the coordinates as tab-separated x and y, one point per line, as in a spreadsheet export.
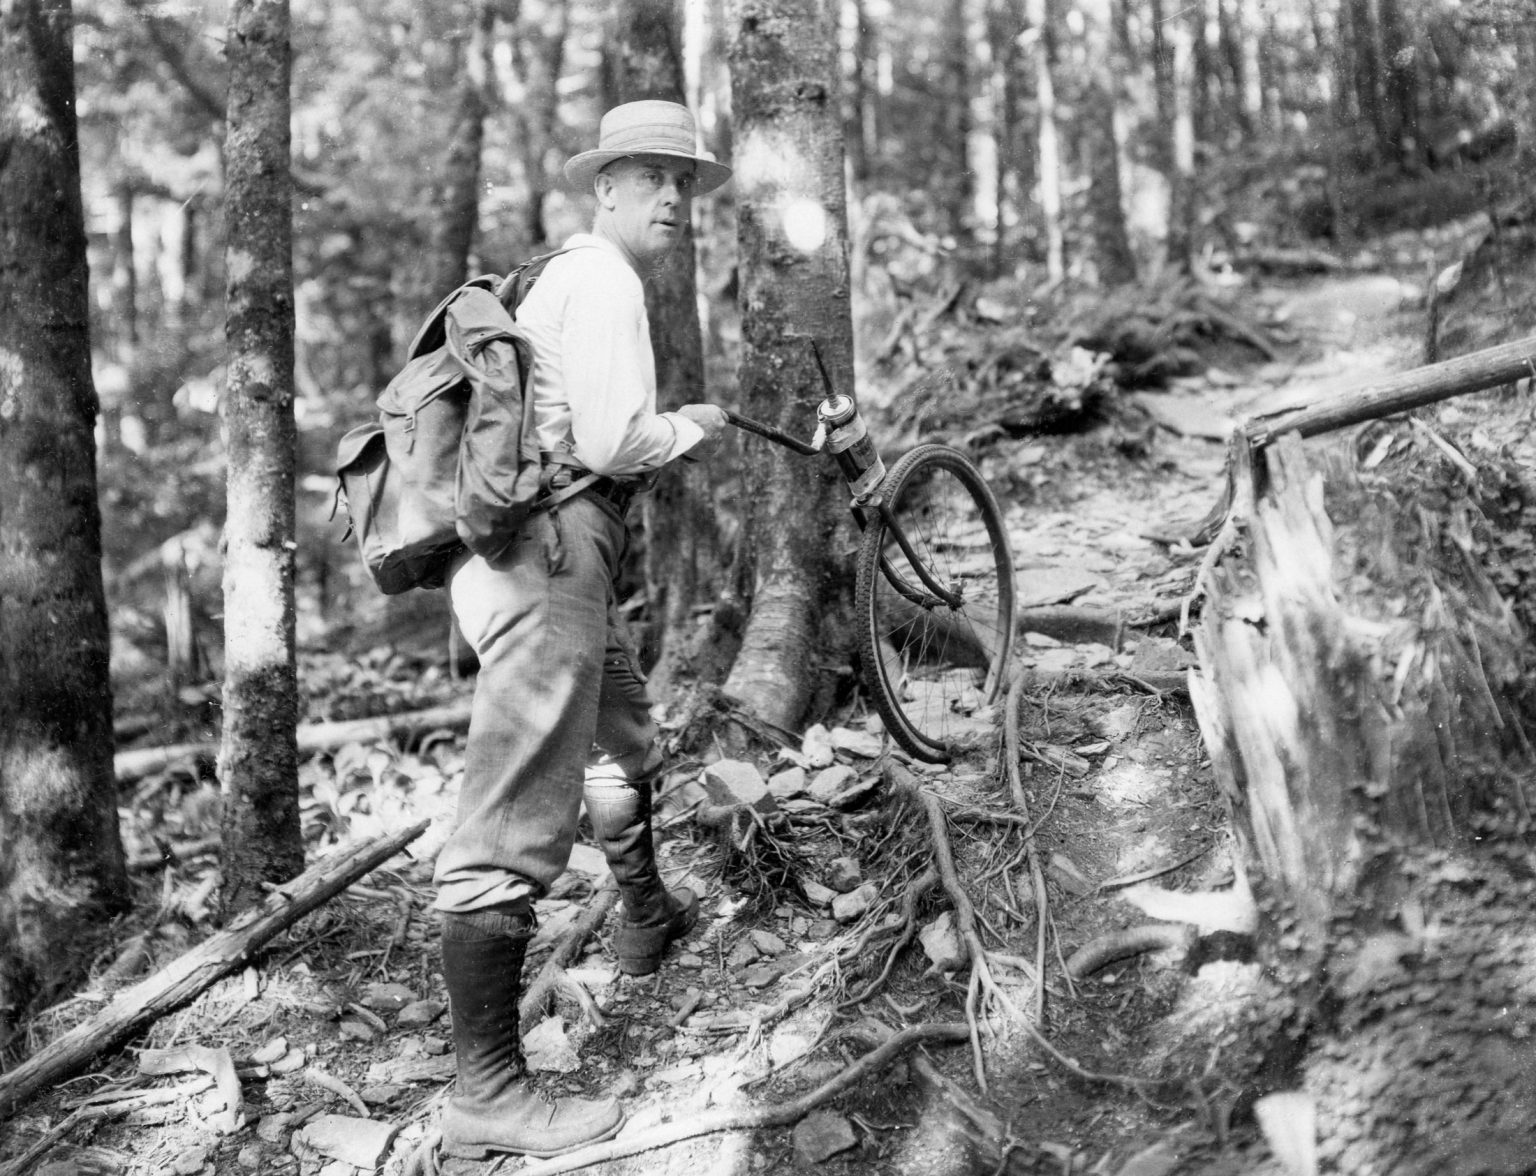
558	687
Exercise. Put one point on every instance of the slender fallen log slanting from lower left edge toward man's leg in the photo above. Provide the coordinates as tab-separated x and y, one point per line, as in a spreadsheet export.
196	971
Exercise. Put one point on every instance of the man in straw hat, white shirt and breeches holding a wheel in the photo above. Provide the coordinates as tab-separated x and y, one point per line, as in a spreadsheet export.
560	704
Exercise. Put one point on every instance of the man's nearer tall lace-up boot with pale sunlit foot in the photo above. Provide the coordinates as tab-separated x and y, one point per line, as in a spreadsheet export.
495	1108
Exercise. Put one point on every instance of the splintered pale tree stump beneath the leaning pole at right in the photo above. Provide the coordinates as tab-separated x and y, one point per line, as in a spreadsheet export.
1359	684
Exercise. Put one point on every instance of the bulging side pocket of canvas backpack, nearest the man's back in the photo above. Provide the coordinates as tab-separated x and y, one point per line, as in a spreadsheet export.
498	480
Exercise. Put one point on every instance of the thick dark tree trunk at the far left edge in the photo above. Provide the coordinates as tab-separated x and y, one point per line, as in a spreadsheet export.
61	857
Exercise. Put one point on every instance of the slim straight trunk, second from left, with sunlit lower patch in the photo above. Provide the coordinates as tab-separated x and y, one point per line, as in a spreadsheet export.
259	759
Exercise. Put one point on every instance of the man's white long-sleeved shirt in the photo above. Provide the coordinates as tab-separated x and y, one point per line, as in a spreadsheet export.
594	369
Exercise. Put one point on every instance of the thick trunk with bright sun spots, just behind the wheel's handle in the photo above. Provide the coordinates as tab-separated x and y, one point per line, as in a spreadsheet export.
793	240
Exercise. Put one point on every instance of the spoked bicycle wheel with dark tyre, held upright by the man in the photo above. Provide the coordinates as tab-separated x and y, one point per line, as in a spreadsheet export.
933	670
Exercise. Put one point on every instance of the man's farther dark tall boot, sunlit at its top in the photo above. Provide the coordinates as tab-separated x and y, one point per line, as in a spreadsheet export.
654	916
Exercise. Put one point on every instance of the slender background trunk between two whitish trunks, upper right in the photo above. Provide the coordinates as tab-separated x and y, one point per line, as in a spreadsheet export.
1117	265
